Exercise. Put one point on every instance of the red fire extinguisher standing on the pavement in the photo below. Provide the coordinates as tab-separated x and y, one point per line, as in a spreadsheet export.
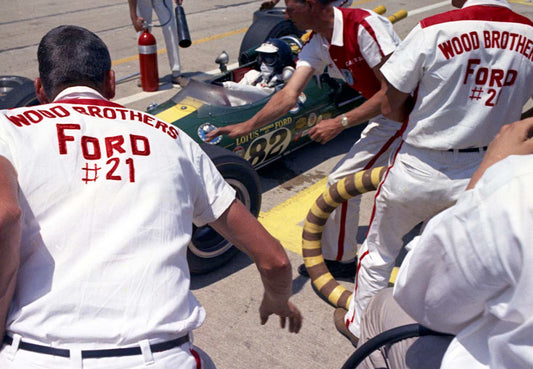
148	61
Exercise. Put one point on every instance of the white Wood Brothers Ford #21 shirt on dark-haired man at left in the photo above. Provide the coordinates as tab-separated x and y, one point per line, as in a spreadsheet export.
109	196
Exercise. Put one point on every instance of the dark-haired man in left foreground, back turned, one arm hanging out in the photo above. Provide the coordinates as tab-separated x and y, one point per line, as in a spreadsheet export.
103	205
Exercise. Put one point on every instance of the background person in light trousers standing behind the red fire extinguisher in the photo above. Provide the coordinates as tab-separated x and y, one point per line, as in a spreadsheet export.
141	11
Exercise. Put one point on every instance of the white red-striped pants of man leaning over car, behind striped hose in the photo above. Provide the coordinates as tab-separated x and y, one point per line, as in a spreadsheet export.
378	140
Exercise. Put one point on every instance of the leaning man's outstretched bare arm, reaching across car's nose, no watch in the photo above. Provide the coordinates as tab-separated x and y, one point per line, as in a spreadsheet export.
279	105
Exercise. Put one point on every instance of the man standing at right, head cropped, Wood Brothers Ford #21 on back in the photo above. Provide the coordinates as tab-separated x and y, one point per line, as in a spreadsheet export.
470	71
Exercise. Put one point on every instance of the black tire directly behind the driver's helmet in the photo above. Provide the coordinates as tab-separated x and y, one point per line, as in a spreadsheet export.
267	24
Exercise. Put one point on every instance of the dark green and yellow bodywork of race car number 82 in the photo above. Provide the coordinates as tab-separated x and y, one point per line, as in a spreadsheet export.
203	104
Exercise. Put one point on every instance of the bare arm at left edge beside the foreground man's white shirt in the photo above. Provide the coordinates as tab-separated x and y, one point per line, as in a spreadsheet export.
10	230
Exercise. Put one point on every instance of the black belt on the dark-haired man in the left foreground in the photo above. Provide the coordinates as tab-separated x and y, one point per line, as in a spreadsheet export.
94	354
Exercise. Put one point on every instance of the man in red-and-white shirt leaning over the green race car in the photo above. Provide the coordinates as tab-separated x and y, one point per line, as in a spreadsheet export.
363	40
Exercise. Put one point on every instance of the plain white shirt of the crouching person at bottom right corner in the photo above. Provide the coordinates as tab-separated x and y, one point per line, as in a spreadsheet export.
469	273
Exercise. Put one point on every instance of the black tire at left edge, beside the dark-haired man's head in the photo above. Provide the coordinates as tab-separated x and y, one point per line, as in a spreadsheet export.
16	91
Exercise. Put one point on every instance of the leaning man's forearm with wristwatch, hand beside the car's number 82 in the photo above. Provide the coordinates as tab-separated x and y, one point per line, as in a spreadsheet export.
328	129
